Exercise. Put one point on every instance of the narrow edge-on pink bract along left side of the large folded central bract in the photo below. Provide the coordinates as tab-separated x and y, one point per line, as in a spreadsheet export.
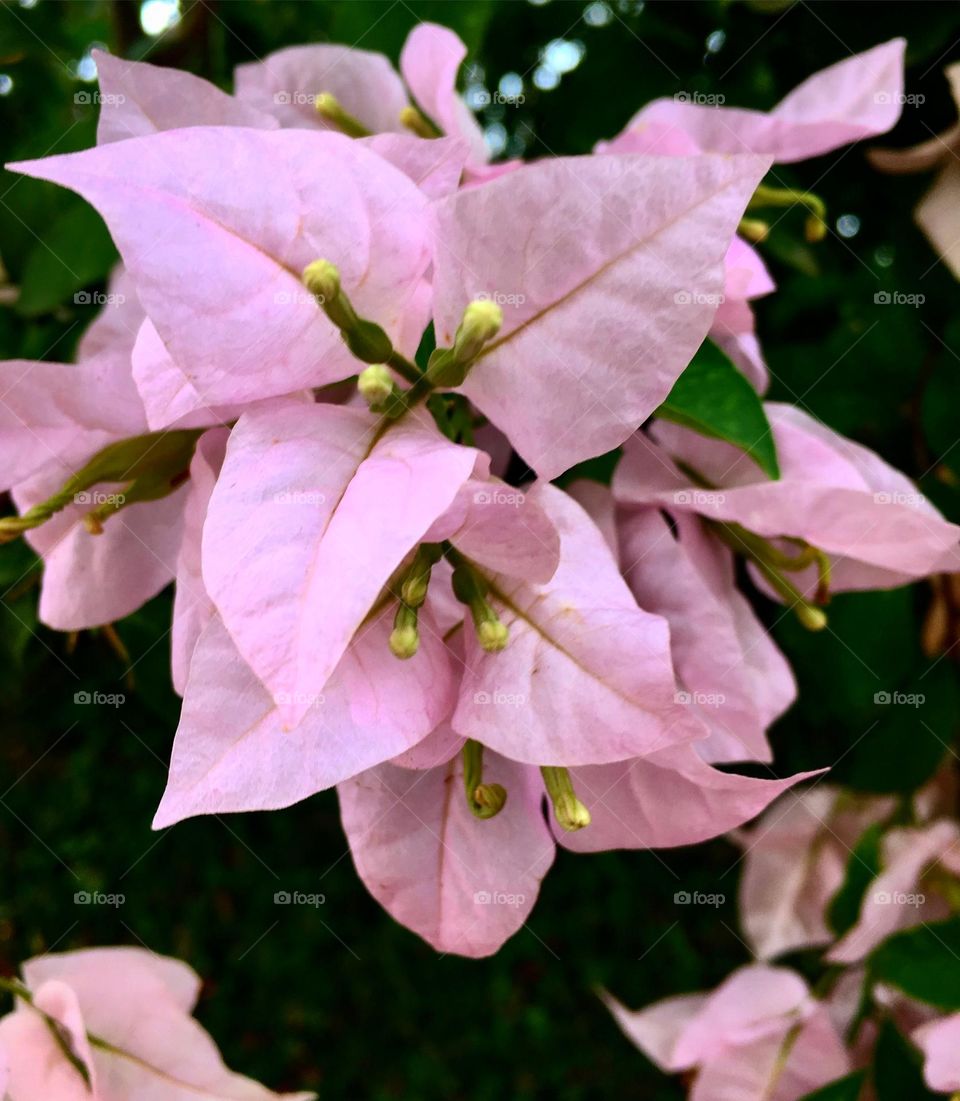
192	607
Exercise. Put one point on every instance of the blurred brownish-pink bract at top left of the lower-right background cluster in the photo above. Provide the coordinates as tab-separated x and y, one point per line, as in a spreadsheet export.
795	862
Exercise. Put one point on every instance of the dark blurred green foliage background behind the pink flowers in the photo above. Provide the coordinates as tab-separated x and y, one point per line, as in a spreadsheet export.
341	999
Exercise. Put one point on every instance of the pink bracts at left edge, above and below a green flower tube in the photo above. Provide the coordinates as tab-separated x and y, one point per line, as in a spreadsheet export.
53	419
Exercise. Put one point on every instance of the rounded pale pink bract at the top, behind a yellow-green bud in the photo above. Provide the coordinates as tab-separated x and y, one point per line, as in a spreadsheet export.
287	84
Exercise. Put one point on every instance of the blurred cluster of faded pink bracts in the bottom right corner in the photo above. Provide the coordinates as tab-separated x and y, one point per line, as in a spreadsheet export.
763	1035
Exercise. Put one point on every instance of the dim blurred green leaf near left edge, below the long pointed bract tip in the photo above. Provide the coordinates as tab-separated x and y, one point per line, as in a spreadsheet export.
77	250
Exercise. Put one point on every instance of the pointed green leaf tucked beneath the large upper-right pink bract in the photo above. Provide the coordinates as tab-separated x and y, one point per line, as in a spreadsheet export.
713	398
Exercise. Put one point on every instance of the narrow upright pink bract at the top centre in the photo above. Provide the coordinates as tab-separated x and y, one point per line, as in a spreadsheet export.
430	62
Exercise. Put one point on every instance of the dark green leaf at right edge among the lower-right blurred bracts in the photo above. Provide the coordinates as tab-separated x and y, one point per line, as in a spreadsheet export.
924	963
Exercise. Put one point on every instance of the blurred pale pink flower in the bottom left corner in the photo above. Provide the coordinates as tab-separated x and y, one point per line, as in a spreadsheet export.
114	1024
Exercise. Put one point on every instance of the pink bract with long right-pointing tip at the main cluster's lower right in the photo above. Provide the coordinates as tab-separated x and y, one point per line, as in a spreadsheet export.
669	799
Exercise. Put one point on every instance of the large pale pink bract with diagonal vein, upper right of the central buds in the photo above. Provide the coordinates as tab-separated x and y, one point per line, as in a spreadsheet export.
570	247
